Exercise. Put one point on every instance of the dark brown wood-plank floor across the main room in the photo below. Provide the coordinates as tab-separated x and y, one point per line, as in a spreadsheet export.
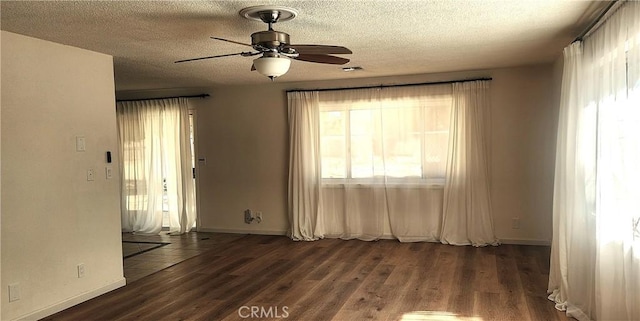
257	277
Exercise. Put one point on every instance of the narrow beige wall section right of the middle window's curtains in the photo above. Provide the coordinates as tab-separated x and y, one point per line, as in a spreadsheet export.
524	122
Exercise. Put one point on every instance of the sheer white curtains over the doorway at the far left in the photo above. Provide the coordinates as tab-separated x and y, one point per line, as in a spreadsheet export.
156	165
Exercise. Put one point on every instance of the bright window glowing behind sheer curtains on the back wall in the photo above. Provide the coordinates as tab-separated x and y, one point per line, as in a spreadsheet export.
399	137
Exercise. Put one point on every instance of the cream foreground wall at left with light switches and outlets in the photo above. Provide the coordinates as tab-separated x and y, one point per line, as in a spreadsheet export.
52	217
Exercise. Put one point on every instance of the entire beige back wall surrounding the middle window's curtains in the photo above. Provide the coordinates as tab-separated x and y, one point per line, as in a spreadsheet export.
242	132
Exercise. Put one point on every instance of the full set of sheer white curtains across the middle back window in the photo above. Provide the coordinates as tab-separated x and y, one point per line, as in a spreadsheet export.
378	165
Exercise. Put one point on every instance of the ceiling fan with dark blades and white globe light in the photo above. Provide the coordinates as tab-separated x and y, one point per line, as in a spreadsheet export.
275	47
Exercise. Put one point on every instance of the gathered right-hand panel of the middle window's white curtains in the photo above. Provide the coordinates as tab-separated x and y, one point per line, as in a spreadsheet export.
467	208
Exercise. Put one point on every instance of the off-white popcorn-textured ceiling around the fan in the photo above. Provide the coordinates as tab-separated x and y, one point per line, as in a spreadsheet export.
386	37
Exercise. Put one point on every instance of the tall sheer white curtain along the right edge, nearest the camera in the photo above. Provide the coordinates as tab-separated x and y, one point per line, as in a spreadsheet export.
595	258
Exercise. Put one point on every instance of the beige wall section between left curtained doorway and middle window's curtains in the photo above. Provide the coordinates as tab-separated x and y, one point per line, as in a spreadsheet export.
242	133
